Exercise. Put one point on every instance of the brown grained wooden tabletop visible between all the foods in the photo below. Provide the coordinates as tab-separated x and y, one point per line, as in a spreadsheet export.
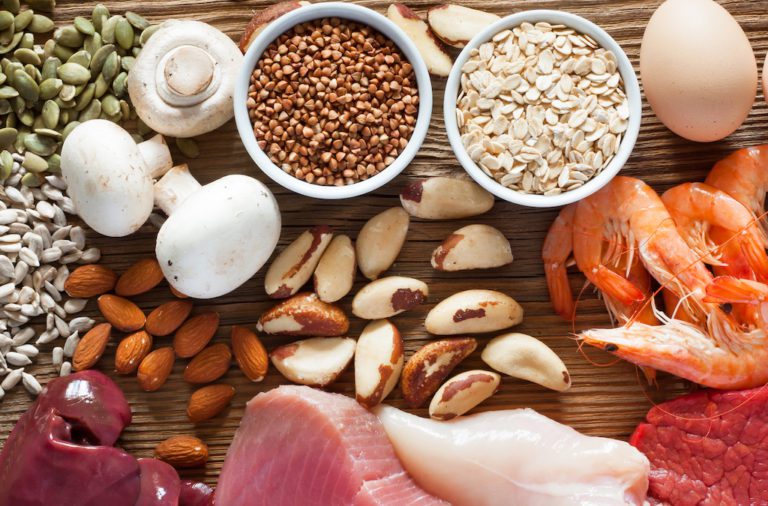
607	398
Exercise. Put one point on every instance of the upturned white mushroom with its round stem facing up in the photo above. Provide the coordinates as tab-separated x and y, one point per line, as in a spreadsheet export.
183	81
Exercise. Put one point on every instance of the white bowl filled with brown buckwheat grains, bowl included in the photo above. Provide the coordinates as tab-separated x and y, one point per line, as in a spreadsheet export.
333	100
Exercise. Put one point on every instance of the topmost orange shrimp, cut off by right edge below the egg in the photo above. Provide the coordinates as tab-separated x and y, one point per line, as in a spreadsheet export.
744	176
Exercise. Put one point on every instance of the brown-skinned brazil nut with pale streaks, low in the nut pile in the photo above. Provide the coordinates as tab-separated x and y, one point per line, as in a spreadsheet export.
430	365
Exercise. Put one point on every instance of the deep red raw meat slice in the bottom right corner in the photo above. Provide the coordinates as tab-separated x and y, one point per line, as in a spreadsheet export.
708	448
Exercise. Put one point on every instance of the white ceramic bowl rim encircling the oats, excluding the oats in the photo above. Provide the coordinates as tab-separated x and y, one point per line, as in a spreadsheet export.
630	84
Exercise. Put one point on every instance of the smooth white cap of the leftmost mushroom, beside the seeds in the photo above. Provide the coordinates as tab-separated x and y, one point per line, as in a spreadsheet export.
107	178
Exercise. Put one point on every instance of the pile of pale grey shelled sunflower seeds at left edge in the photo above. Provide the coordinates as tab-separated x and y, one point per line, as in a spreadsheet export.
37	246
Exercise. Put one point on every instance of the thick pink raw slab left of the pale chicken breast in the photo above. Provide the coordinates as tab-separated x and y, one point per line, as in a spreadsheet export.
300	446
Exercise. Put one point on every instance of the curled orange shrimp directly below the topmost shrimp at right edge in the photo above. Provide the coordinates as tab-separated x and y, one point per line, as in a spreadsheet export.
699	209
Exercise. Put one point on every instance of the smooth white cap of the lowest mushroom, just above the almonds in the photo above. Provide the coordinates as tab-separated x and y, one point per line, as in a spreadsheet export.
219	237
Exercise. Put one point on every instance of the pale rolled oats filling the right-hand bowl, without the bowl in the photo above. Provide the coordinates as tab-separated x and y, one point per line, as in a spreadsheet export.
542	108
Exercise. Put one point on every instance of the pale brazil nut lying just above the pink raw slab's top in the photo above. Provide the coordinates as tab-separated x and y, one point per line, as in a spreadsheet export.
314	362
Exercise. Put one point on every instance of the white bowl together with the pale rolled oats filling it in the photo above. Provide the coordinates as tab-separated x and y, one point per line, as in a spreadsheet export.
542	108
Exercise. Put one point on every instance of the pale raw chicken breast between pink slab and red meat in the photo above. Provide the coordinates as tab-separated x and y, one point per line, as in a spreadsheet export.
515	457
